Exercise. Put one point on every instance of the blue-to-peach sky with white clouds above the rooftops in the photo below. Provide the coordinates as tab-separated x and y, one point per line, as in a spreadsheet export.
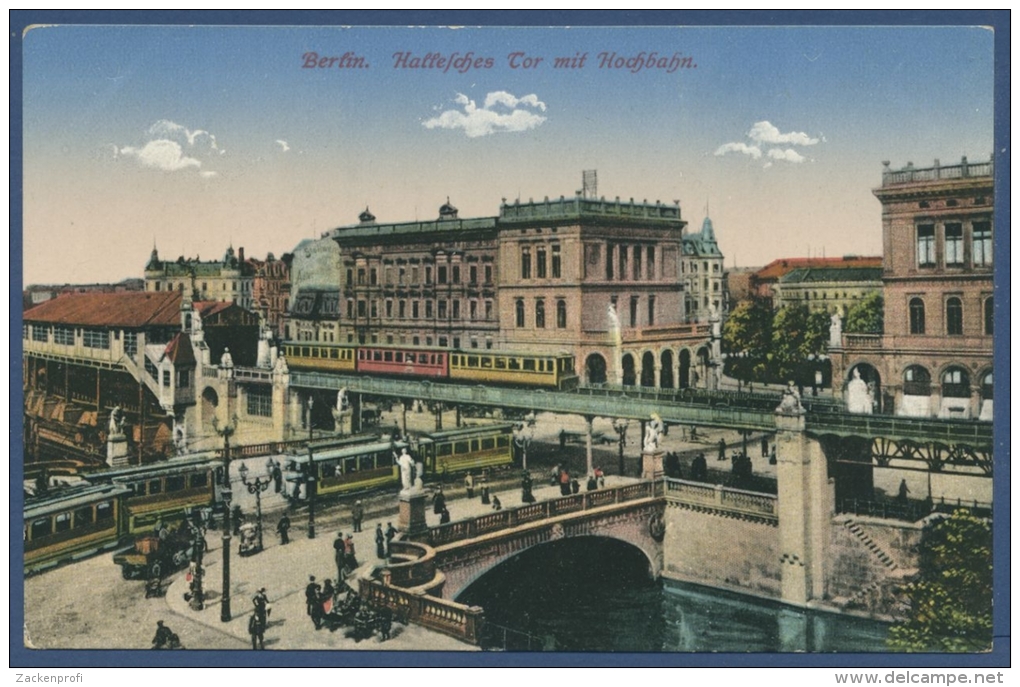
192	139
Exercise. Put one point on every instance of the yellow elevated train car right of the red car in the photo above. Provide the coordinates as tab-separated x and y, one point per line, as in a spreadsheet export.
515	369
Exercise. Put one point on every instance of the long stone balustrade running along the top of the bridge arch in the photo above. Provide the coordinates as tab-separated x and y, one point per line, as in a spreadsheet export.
577	503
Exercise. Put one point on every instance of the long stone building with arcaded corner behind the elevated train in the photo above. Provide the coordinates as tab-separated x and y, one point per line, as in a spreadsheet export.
602	280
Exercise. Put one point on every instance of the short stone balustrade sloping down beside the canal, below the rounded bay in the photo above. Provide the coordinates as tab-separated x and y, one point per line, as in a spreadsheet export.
456	620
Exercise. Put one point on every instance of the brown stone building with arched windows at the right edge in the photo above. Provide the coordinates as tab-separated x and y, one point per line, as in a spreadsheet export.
935	357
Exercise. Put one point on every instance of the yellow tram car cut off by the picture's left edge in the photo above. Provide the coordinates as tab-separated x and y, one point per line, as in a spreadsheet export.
72	524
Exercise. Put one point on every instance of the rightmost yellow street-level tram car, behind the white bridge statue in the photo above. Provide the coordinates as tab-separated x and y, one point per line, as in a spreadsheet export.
467	449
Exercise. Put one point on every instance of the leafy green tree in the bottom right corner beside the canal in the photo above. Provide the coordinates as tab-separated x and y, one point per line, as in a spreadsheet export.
951	601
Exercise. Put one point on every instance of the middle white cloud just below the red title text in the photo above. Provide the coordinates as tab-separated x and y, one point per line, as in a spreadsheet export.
493	118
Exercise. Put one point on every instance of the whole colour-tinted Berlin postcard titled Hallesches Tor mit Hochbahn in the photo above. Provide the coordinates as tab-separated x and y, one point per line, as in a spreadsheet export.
622	344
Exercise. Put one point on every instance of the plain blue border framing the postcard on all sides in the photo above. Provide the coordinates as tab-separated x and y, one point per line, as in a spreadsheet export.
998	20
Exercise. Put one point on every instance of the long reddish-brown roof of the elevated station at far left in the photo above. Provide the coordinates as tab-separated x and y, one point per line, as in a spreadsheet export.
135	310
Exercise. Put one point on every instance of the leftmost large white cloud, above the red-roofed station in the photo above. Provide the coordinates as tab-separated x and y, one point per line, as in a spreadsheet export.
172	147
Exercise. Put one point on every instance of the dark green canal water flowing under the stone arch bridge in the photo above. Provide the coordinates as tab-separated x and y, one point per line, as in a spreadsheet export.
596	595
